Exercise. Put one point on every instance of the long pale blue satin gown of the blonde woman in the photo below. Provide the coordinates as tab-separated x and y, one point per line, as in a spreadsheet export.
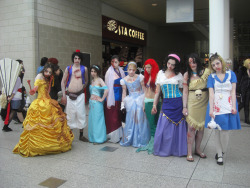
136	131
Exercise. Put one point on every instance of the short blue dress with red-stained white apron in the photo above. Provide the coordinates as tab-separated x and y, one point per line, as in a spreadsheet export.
226	120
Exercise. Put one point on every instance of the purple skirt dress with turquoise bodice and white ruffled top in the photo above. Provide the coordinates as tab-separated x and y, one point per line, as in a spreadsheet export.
171	131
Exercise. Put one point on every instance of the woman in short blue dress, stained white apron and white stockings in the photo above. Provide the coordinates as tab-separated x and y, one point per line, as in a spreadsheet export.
222	104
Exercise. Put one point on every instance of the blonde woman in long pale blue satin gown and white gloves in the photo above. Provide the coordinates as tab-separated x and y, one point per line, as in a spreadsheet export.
136	131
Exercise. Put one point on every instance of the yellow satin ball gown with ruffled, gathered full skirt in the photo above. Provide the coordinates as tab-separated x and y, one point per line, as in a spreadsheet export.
45	126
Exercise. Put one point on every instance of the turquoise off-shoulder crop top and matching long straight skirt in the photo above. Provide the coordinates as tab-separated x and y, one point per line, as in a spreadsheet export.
96	122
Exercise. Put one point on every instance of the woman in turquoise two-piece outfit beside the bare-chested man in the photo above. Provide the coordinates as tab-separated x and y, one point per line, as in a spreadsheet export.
98	91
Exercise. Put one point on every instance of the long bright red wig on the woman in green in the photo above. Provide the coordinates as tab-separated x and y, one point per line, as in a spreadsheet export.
154	71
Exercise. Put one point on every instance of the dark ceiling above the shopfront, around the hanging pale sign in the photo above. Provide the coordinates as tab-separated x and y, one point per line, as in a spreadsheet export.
144	10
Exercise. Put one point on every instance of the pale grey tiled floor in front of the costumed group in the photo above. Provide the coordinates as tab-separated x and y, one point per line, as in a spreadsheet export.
86	165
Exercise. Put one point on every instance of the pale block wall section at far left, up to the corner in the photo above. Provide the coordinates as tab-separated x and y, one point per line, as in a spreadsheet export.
17	36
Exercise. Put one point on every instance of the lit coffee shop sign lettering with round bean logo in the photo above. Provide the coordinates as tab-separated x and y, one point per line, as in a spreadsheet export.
123	30
